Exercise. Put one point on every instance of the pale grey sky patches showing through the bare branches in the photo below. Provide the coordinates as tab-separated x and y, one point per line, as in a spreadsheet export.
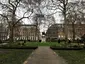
45	11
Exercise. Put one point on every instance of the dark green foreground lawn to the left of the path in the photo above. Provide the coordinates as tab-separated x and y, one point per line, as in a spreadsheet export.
14	56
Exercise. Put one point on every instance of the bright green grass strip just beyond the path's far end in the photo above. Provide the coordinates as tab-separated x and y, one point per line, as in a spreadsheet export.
42	44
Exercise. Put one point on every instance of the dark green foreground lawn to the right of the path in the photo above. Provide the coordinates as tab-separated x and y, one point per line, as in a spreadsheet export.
73	56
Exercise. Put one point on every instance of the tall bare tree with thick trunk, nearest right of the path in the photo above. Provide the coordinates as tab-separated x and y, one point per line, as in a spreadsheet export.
61	5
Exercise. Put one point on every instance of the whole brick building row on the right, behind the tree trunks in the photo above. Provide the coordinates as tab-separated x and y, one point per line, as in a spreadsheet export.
56	31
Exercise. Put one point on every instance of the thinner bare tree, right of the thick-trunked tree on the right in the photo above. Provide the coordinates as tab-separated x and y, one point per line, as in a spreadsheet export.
72	17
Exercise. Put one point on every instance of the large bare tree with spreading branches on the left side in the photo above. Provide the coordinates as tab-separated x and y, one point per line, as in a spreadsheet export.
9	12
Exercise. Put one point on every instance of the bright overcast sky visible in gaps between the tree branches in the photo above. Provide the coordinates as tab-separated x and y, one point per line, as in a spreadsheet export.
57	15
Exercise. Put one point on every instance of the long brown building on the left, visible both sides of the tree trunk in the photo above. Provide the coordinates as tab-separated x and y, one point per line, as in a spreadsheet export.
20	32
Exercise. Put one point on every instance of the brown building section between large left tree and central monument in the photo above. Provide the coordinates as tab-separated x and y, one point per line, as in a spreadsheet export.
27	32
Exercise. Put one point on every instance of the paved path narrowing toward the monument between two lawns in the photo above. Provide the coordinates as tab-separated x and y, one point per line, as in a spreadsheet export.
44	55
